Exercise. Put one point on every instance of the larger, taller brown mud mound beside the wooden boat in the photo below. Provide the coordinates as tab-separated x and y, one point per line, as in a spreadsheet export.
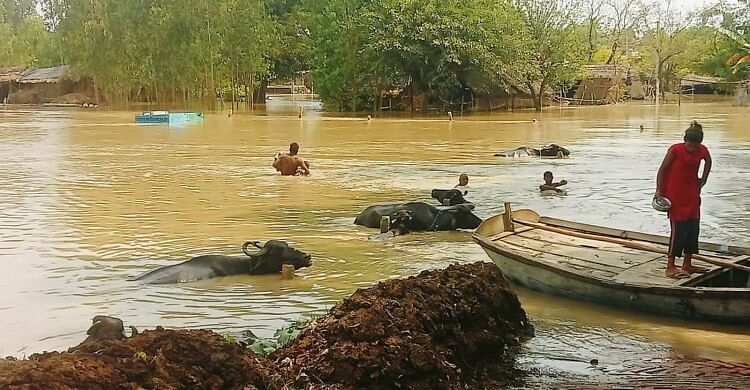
440	329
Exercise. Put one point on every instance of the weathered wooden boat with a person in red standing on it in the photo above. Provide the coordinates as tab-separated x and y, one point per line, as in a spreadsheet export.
616	267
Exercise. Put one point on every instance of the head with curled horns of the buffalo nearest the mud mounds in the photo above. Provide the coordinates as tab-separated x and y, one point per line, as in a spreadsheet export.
273	254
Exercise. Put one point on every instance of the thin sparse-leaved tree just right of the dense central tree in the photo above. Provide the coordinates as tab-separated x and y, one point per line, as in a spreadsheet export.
554	46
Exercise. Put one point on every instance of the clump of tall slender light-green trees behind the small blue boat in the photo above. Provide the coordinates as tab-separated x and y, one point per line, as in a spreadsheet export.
165	50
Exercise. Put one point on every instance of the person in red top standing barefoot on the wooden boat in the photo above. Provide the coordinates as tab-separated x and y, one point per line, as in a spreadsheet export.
678	181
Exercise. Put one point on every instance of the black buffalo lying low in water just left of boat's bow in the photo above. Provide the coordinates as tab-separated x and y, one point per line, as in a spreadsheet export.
422	216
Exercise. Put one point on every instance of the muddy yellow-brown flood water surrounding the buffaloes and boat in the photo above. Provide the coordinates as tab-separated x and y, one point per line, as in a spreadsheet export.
88	199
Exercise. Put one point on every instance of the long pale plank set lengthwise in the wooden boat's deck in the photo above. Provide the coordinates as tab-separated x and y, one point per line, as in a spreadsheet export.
616	261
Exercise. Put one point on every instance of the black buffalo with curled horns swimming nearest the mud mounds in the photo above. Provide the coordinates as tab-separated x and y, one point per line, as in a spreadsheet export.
267	260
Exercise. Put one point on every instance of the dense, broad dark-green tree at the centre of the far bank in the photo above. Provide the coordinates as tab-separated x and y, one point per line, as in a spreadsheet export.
430	49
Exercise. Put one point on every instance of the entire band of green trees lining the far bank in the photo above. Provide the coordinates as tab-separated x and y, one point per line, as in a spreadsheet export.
429	54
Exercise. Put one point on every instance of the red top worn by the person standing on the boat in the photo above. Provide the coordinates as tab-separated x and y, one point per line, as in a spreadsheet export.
681	183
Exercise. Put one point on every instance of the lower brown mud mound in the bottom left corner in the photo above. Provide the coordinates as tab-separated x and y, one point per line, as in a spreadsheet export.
158	359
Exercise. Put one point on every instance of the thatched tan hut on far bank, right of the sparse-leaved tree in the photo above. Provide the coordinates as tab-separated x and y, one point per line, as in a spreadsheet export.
604	84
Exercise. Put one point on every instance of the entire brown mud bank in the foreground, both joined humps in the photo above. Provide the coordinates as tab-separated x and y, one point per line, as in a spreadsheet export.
441	329
